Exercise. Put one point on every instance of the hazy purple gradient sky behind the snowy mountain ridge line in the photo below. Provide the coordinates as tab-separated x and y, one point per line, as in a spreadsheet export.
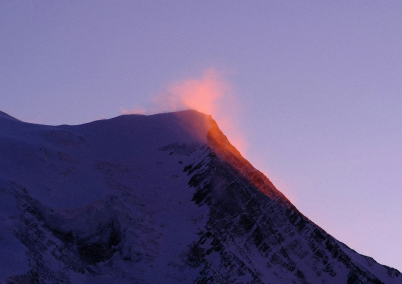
310	91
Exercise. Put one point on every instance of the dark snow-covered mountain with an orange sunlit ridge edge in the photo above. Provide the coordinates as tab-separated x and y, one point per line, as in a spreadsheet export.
154	199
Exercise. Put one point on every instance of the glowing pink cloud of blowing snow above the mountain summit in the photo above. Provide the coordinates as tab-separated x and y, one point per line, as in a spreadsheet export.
209	94
